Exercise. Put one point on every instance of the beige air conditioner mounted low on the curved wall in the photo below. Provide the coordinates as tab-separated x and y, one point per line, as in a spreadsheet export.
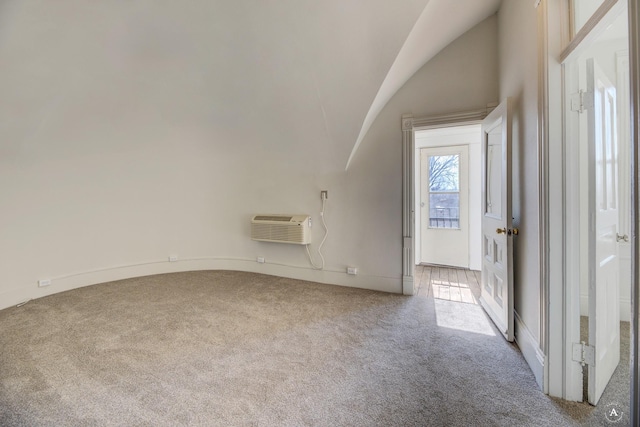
281	228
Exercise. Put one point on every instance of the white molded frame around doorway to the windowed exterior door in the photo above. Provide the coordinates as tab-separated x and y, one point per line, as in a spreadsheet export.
410	125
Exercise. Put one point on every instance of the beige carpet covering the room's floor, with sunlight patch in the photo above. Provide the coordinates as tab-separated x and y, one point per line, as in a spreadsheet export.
221	348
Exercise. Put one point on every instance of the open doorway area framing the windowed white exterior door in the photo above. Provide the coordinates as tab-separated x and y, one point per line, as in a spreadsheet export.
447	196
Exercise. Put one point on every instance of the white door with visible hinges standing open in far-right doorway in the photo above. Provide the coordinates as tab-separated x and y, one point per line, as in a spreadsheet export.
604	314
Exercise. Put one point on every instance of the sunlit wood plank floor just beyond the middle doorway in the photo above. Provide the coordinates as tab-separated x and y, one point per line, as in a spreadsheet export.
448	283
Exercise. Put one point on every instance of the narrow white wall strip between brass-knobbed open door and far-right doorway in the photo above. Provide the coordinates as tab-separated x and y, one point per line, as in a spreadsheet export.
519	80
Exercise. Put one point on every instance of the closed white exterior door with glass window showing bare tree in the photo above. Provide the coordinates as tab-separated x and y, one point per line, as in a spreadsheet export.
444	206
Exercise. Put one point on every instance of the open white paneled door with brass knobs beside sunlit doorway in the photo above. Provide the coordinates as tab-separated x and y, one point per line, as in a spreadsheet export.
497	232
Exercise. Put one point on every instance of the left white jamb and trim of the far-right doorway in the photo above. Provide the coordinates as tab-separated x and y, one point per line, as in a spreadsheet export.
560	264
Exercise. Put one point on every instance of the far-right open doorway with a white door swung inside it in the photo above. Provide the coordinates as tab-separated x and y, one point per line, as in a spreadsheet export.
598	200
